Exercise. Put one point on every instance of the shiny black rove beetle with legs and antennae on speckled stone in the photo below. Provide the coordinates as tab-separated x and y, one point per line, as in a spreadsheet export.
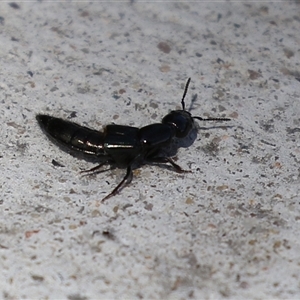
123	146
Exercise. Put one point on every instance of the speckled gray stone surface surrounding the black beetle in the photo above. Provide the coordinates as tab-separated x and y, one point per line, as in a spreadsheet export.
230	229
